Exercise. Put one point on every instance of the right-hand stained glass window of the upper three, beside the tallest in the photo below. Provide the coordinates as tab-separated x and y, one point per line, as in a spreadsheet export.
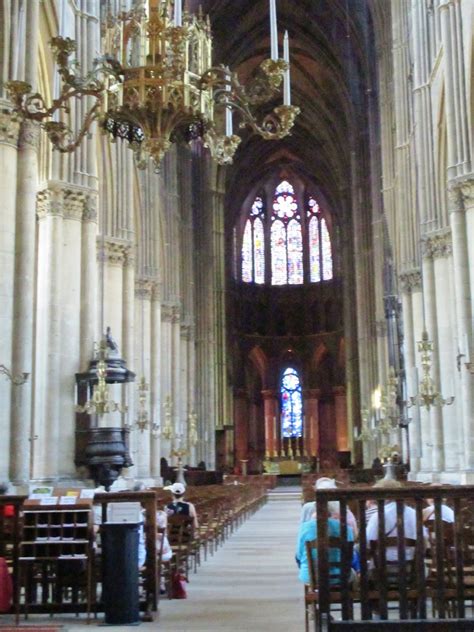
319	242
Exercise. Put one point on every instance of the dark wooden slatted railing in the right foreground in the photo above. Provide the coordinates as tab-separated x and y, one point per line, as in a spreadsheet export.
430	590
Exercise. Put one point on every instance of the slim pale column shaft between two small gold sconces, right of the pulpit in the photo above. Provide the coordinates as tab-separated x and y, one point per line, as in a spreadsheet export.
155	380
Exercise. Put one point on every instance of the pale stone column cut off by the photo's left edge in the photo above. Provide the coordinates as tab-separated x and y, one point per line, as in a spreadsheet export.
9	129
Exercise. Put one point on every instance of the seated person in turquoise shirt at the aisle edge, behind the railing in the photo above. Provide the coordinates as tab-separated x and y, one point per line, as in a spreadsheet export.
308	532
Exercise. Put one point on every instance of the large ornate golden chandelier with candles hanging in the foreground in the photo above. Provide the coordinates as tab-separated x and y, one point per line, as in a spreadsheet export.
156	85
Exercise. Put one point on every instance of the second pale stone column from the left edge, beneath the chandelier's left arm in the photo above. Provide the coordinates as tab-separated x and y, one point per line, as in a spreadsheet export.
25	244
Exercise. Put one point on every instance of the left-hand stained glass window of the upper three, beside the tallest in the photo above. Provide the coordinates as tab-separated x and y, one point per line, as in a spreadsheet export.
253	245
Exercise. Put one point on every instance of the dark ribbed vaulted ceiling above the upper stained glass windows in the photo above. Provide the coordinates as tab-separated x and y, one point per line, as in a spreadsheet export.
331	48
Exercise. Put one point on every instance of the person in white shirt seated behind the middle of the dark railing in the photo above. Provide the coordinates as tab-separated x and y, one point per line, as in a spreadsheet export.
391	531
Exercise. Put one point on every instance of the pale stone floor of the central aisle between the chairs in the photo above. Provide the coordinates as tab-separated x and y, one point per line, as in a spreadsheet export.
250	583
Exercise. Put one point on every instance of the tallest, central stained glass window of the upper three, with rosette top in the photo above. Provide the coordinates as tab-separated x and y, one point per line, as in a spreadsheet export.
286	238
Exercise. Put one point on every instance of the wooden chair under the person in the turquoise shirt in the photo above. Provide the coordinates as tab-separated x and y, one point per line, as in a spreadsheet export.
341	577
